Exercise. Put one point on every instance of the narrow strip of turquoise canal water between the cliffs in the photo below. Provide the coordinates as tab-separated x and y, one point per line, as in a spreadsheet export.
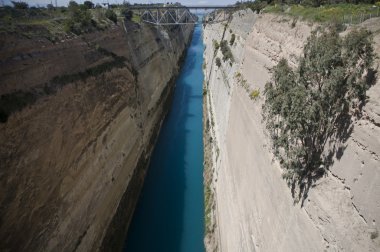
169	215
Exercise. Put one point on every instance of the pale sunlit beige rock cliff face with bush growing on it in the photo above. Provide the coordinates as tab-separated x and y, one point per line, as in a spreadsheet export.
251	207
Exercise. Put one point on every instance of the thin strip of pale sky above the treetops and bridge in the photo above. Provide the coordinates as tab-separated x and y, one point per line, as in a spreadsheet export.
183	2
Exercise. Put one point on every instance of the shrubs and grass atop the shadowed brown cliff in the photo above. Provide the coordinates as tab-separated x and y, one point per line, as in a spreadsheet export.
56	23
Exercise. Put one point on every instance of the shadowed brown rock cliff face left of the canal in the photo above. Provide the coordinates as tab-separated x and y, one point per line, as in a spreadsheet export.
79	119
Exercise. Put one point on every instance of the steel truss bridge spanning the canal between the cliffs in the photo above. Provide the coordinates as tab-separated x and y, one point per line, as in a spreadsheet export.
180	15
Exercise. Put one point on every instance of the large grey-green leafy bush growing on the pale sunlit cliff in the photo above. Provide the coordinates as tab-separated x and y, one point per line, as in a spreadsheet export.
309	108
